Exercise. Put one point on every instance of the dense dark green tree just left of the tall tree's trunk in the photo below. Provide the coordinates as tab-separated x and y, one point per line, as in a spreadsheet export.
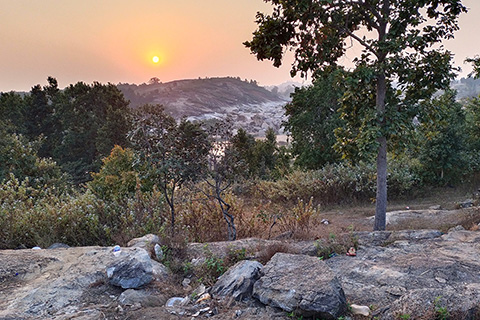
312	118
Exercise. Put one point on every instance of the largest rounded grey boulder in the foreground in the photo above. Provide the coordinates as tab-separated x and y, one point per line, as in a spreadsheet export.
286	284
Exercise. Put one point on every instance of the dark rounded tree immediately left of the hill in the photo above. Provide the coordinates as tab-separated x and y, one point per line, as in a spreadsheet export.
93	119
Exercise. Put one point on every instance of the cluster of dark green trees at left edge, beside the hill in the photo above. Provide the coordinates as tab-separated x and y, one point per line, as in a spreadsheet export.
75	127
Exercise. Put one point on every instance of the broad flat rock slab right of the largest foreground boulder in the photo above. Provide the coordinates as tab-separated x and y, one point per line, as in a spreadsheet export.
397	278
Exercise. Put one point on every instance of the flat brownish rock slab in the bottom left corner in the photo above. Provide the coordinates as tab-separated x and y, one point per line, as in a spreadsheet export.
50	284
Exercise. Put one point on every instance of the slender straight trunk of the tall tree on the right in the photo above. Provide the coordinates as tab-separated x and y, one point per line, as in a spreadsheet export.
381	200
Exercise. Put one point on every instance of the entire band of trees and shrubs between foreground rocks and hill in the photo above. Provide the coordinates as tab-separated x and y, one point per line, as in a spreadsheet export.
78	166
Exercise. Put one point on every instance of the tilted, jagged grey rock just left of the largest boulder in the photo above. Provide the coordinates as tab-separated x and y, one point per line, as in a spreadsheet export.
238	281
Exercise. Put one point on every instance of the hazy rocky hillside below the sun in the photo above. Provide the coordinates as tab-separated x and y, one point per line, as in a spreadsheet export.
250	106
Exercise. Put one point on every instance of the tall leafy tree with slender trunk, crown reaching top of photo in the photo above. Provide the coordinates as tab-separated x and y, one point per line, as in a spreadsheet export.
398	40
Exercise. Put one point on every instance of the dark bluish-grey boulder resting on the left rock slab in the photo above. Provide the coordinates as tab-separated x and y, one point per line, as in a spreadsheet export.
131	271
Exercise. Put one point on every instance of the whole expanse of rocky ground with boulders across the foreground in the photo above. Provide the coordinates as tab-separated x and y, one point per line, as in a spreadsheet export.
403	274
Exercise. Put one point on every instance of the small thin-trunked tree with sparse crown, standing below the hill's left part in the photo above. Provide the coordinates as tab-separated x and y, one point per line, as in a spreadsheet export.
172	153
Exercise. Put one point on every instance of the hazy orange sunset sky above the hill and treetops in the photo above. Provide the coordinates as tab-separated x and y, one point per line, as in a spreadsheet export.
115	40
